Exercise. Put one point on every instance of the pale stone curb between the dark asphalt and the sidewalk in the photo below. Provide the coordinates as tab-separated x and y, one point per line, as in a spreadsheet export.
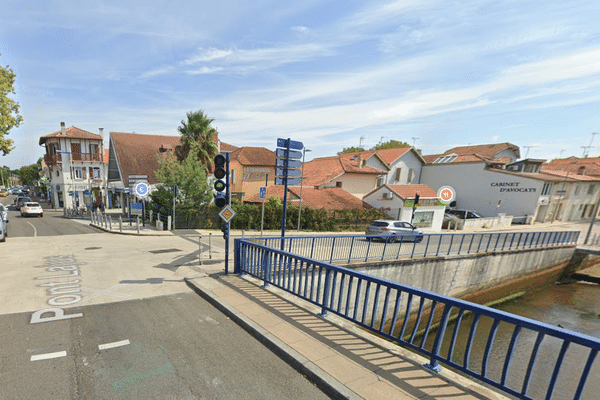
329	385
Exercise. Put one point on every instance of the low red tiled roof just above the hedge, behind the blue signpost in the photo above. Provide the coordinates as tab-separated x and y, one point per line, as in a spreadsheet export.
330	198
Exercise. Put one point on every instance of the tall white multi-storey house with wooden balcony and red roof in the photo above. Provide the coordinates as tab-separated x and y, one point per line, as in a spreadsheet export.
75	163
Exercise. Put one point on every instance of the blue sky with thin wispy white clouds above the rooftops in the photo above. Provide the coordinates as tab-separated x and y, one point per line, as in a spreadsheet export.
329	73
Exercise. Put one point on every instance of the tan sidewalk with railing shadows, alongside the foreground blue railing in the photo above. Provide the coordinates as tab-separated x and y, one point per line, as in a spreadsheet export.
343	360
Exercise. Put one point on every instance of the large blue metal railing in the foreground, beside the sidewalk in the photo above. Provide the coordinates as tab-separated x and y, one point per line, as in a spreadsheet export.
447	330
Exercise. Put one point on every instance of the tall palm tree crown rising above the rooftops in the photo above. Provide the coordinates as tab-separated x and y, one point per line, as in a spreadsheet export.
198	129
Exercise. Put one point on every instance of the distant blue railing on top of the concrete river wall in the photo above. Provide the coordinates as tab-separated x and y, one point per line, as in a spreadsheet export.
345	249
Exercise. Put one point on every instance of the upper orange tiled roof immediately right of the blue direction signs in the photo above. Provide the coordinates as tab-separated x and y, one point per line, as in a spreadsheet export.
322	170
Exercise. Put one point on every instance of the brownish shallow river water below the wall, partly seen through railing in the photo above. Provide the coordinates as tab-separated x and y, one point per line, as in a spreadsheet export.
574	306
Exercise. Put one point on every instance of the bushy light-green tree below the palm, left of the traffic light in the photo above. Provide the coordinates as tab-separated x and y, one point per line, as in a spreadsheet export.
190	177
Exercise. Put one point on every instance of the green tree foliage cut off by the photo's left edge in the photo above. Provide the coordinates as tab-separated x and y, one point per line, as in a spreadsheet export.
9	109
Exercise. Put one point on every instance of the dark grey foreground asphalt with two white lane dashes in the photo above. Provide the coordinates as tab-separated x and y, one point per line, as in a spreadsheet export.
170	347
